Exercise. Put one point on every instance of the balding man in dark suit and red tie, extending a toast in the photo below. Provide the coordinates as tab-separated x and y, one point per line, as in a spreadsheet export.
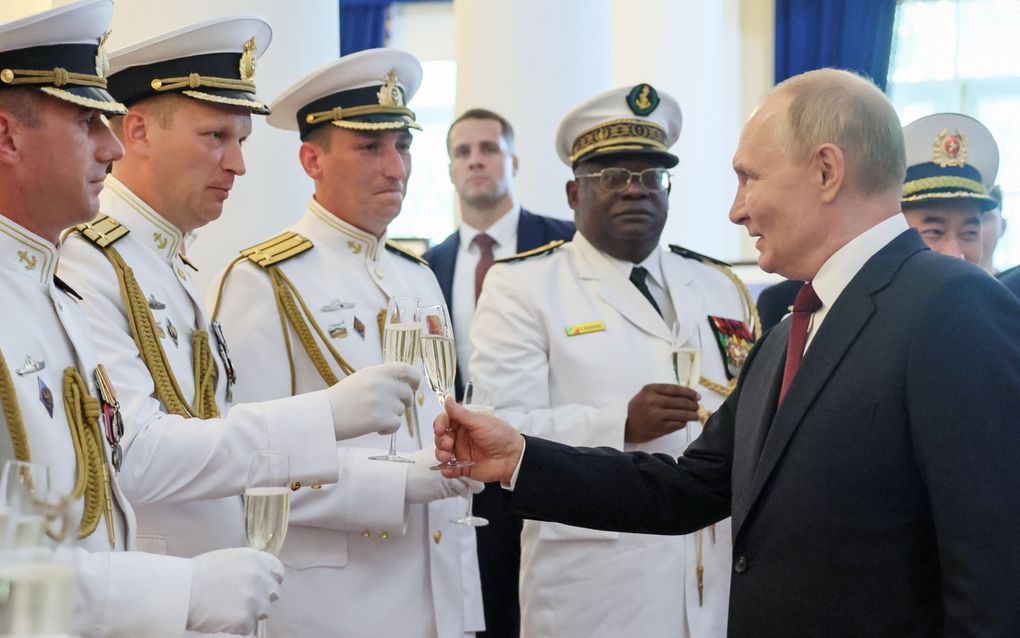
869	456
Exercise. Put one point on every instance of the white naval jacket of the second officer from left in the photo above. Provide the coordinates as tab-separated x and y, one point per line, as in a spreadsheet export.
185	477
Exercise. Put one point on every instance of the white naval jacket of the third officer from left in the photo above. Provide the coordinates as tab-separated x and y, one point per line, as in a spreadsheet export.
364	564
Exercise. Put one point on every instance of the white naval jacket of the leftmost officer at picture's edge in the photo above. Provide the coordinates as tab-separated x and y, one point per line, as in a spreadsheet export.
123	594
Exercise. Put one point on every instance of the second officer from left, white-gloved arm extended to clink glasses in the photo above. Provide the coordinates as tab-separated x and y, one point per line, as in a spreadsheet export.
190	97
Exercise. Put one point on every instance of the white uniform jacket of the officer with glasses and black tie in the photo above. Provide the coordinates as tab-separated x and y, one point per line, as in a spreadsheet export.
576	389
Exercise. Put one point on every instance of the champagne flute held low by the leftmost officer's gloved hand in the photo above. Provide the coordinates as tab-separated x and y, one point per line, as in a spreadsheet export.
268	506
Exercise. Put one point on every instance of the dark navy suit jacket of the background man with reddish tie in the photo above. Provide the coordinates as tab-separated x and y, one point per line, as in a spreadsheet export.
499	544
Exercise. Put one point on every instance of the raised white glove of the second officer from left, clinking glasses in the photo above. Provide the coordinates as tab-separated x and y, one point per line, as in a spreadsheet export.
373	400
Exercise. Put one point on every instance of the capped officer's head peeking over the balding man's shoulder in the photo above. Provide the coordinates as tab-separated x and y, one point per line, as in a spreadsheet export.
952	161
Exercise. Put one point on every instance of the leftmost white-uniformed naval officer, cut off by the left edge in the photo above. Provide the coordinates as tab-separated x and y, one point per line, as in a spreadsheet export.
60	409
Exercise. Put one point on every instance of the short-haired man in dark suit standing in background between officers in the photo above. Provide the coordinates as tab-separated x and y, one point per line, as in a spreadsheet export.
483	165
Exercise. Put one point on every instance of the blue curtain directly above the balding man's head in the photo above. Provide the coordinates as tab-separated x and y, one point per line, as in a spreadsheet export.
856	35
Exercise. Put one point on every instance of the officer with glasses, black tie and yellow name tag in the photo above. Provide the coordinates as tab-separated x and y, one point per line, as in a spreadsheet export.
577	340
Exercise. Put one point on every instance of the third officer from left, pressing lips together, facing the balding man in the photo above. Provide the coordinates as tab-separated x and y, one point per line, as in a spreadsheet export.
307	309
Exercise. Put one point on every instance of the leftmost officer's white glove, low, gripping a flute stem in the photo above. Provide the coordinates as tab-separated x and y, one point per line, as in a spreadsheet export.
232	590
